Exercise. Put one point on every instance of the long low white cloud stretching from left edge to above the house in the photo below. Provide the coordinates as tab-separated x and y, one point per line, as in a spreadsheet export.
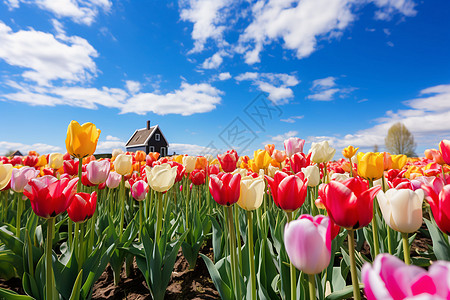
187	100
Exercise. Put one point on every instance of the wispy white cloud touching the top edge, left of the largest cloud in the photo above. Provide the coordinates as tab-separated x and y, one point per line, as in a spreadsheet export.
208	17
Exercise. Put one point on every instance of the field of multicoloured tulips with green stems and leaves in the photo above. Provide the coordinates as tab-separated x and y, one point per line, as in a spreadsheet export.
288	223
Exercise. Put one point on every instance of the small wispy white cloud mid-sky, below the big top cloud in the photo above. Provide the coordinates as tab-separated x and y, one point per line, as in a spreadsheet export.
276	85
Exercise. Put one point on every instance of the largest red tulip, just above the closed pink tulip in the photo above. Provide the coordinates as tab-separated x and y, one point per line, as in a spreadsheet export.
349	203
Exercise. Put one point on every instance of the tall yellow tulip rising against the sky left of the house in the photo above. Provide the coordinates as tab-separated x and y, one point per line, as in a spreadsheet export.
82	140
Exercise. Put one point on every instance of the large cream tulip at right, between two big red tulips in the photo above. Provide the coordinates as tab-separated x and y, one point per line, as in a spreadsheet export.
402	209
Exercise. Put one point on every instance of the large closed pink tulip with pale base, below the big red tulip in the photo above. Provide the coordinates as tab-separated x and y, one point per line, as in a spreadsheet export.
308	243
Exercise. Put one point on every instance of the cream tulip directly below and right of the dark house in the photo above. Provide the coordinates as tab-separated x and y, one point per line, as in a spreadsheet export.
161	177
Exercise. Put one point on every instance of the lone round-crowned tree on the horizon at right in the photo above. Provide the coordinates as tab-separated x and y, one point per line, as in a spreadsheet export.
400	140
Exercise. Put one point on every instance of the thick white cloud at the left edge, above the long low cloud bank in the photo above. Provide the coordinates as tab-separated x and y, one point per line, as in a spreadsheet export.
47	57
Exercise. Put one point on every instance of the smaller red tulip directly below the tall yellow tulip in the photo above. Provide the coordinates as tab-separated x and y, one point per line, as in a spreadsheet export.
82	207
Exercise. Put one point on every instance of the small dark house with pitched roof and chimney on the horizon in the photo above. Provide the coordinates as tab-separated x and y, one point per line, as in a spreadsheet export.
148	139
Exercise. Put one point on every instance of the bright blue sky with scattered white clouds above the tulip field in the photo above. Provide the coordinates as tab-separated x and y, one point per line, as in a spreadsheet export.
341	70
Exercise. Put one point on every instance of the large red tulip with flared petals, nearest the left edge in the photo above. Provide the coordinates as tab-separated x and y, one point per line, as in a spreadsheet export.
49	196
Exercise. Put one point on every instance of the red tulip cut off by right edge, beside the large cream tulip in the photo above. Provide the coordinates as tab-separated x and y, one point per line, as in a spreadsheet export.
438	196
